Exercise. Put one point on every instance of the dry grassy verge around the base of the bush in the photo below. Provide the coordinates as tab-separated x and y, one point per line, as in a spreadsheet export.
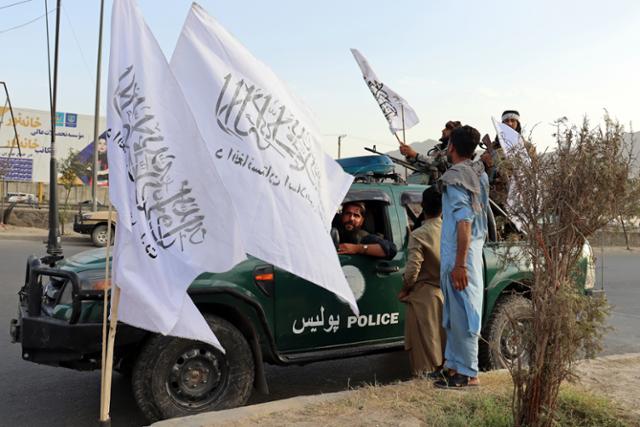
420	403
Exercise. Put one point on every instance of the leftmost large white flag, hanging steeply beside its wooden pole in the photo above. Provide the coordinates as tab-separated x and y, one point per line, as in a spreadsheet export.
175	217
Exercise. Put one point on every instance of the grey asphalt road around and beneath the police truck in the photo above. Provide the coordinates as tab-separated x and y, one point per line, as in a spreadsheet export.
35	395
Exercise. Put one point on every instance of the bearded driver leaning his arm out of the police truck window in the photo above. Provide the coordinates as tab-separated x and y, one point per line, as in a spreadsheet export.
355	240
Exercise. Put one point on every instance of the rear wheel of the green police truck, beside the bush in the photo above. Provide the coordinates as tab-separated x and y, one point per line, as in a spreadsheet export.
506	333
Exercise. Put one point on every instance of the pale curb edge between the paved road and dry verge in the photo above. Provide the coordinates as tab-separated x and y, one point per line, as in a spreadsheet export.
242	415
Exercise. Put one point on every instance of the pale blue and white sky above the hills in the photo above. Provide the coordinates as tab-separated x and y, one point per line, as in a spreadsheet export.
463	60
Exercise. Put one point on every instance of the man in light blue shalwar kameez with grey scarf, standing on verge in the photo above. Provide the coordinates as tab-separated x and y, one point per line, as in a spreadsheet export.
465	188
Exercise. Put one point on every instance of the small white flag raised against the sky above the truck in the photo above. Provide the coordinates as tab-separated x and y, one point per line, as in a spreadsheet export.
393	106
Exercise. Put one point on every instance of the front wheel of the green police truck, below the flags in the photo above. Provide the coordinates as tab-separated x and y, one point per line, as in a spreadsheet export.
175	377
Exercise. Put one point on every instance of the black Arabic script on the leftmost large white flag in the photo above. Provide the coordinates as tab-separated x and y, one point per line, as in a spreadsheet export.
171	211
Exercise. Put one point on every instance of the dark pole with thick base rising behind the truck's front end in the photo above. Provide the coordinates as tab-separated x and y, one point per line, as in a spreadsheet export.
53	242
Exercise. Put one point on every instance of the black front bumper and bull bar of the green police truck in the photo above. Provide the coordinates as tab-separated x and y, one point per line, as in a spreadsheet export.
52	341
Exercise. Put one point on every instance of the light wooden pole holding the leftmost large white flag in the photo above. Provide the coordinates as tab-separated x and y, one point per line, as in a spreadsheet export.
107	340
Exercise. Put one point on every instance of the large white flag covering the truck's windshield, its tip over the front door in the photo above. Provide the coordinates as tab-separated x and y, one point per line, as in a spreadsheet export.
285	188
